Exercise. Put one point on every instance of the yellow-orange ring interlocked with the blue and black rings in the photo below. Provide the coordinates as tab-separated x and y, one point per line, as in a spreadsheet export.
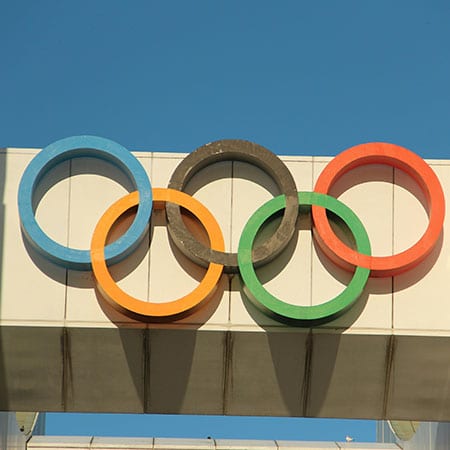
143	310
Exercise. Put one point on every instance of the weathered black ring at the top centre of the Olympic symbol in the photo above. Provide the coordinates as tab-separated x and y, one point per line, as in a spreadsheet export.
225	150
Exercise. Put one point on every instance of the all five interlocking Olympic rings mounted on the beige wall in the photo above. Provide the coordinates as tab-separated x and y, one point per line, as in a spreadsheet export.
213	257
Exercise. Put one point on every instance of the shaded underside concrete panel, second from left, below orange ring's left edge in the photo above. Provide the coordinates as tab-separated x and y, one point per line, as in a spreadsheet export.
112	369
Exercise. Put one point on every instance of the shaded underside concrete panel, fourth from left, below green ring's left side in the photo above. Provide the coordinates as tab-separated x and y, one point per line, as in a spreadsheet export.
267	373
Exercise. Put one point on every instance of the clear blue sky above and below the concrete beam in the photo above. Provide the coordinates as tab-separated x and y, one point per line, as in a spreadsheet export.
299	77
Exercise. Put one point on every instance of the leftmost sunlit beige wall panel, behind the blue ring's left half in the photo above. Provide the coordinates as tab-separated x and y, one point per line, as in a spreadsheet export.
21	278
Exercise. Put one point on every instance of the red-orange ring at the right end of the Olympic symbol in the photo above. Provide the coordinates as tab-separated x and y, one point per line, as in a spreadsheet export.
408	162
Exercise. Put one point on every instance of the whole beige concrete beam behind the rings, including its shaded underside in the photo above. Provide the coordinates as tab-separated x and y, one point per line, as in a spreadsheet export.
383	358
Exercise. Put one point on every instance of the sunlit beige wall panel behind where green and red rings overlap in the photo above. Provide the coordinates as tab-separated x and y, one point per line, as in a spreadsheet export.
367	191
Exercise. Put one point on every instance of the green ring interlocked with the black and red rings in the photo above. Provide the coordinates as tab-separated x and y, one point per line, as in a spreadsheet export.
278	309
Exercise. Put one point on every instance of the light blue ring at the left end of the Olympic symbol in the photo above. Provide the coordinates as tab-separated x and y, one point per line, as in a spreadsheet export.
75	147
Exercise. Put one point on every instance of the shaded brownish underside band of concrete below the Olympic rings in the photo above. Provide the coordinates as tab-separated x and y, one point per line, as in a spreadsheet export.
289	372
